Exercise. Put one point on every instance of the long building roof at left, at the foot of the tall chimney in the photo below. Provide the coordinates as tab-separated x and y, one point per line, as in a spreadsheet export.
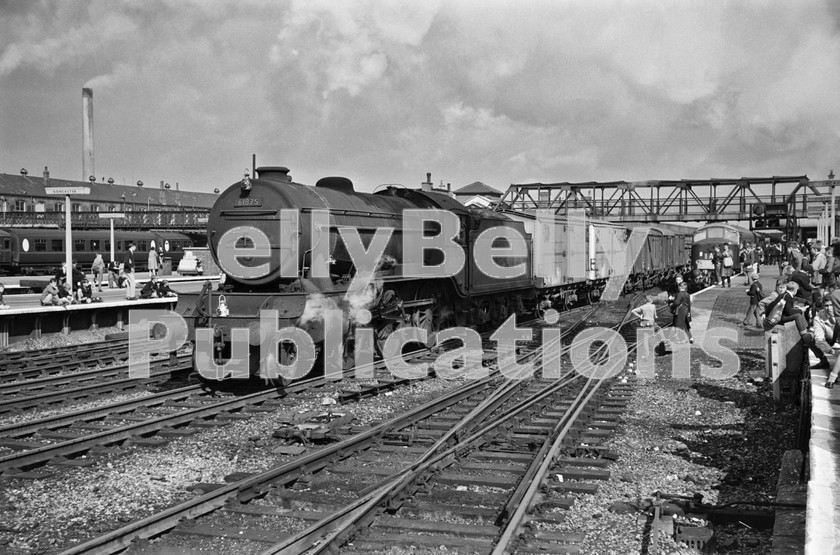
19	185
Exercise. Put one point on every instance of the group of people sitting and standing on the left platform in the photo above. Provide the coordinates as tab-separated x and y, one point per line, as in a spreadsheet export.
78	289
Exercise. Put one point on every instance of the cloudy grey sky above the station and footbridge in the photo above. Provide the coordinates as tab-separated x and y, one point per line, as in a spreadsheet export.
497	91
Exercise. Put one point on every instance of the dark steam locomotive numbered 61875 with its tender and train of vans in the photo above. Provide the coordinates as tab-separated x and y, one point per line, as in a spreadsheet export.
286	247
